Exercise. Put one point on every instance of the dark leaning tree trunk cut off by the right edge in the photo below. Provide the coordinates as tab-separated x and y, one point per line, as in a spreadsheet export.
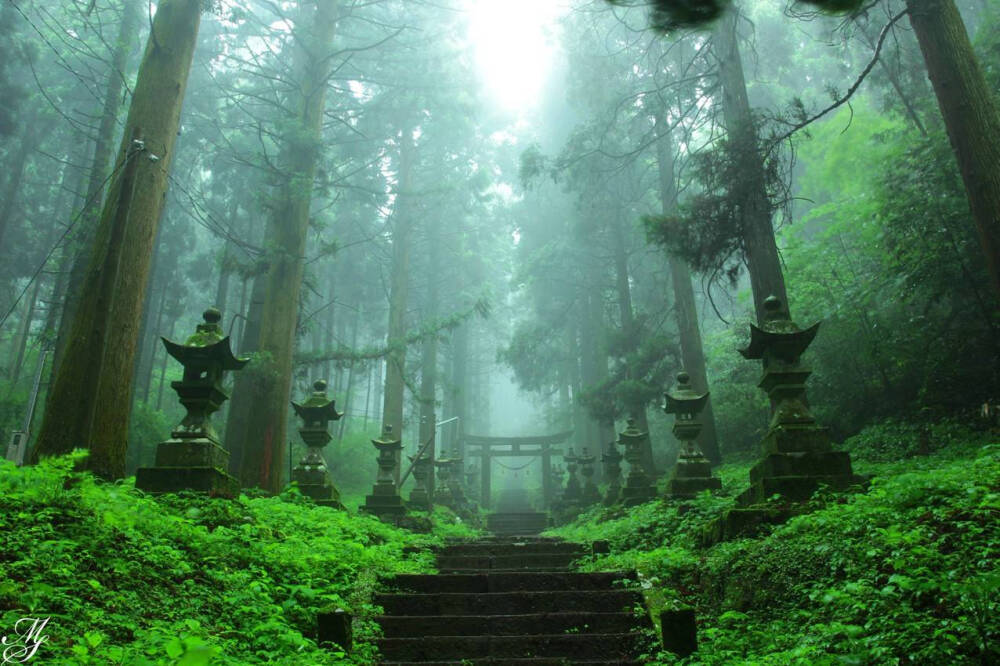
971	116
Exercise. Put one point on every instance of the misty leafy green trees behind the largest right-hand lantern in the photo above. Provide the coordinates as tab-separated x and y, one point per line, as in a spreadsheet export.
887	258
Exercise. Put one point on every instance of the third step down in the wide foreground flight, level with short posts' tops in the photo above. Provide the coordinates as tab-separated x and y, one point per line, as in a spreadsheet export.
408	626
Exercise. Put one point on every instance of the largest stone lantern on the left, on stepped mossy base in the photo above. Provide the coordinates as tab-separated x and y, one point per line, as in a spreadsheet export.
193	458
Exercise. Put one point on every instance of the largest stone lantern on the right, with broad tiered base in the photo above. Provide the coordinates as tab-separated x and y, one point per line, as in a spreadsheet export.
798	456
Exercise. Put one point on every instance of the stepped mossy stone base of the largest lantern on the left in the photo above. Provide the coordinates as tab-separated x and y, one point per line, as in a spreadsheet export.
188	464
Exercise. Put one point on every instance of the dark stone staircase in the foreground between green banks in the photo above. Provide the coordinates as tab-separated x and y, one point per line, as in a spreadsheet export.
507	602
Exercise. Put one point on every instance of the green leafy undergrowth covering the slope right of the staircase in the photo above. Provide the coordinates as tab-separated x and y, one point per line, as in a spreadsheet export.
903	574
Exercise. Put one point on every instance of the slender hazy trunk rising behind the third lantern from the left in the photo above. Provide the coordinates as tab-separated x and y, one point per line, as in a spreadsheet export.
395	362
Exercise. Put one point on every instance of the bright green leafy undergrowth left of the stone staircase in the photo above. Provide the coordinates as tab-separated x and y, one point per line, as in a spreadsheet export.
185	579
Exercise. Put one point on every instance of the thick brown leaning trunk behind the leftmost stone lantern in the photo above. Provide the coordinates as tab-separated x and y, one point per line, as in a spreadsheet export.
89	402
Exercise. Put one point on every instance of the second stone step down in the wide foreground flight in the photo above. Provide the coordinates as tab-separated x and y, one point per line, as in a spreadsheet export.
508	603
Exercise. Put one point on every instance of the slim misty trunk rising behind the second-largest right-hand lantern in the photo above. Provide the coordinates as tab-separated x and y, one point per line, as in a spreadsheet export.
692	353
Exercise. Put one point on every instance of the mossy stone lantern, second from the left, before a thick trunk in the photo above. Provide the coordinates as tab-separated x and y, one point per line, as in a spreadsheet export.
311	473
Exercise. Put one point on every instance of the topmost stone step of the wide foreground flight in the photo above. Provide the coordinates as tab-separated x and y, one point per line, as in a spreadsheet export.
509	582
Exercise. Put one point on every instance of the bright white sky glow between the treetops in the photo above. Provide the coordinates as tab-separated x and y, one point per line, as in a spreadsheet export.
514	45
